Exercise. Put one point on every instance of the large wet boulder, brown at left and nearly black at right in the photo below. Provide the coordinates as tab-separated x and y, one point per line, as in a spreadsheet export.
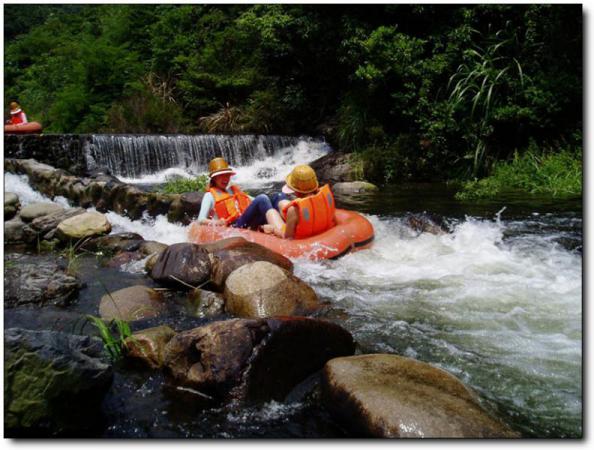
254	360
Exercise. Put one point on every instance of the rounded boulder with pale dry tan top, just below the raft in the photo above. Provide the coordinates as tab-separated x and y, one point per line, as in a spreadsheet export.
262	289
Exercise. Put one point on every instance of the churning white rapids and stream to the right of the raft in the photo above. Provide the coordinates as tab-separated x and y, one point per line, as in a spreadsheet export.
503	315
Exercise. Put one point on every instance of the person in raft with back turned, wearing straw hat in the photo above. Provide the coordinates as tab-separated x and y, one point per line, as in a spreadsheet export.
306	208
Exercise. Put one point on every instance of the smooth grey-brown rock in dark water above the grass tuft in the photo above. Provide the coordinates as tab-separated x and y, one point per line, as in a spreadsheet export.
131	303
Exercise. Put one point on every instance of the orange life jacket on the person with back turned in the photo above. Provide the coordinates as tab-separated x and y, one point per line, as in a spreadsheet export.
316	213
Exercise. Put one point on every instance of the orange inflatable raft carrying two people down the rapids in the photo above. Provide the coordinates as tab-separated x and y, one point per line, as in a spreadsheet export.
352	232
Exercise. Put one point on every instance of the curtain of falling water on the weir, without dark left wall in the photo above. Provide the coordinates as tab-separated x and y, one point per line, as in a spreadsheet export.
133	156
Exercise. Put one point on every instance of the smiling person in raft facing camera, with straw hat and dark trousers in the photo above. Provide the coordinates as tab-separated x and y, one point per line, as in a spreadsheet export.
228	205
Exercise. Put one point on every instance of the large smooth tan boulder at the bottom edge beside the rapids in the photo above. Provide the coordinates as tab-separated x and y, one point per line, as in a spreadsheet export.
391	396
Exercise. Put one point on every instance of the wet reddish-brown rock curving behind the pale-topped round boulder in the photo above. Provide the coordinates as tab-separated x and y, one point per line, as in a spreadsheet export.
232	253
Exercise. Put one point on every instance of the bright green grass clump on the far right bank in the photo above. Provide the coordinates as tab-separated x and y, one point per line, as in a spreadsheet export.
557	174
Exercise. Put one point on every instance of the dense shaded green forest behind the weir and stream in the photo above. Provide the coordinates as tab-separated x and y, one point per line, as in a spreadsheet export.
415	91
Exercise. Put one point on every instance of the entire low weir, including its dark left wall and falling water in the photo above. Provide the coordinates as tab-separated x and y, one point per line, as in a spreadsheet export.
134	156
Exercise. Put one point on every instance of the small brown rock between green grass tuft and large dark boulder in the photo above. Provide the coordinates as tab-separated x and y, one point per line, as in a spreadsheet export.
149	345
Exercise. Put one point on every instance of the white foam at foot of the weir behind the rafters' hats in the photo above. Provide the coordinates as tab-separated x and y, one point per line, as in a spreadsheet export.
260	173
